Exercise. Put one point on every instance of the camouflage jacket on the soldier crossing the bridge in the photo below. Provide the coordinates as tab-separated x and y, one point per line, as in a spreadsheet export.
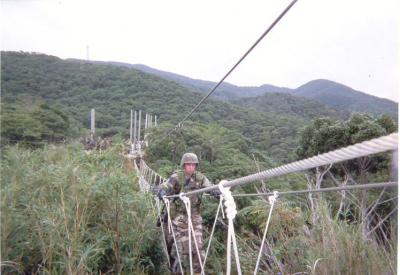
178	183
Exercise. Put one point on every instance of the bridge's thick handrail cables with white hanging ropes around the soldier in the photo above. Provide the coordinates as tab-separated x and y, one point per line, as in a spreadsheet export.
149	179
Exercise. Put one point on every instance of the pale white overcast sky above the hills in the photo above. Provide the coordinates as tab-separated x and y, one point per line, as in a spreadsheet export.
353	42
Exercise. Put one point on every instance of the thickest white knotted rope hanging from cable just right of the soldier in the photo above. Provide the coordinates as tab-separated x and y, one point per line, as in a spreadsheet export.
231	214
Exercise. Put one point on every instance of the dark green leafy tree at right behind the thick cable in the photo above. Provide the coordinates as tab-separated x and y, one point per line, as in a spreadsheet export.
326	134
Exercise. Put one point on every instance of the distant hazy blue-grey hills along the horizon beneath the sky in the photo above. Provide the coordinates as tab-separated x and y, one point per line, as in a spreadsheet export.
332	94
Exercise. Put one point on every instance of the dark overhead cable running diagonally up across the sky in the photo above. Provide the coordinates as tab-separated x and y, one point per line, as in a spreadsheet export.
281	15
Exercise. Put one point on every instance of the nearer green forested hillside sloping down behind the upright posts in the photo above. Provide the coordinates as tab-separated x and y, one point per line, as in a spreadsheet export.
71	88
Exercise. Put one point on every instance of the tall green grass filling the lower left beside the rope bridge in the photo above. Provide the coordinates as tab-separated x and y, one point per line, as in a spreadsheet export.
64	211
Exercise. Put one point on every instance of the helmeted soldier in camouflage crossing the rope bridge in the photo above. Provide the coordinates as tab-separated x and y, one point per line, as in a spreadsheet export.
185	180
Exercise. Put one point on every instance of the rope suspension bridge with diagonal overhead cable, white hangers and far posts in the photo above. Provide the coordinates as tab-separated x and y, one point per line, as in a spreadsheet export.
149	179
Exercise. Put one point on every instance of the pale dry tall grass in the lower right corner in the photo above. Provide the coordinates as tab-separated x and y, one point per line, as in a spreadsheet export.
338	247
